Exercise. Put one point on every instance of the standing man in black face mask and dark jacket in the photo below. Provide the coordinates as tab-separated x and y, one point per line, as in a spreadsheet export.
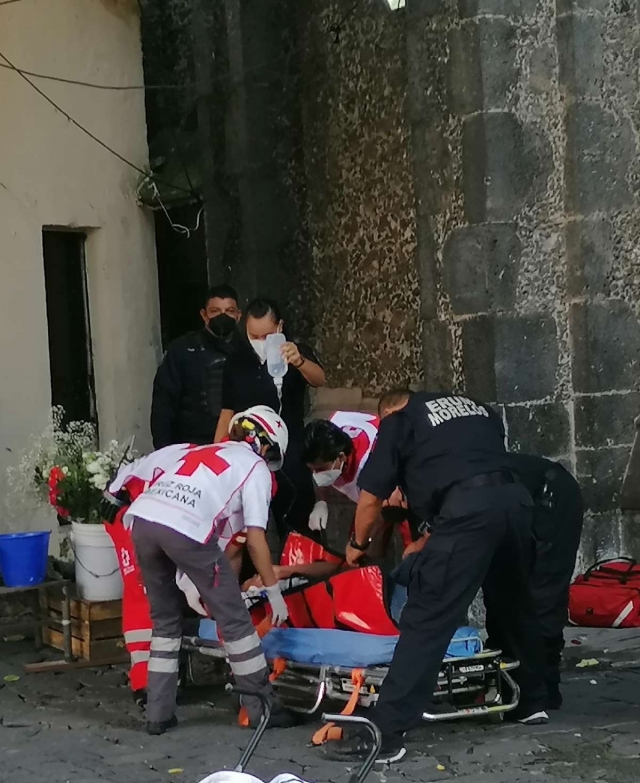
188	385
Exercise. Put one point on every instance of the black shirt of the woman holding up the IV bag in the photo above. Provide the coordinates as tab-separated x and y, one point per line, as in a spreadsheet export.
247	383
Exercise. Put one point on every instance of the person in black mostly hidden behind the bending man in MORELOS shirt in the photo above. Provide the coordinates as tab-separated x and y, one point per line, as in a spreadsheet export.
557	527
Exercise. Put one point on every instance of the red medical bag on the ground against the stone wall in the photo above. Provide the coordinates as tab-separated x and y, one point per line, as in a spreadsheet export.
607	595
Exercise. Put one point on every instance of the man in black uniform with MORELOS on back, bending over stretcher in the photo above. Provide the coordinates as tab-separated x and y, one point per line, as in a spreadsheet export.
446	452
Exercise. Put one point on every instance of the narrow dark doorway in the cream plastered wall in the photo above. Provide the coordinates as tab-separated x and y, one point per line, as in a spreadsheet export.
70	352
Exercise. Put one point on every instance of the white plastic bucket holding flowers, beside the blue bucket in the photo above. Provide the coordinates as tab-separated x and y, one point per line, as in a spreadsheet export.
97	572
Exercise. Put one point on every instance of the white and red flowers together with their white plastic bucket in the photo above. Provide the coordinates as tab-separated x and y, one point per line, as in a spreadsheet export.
65	468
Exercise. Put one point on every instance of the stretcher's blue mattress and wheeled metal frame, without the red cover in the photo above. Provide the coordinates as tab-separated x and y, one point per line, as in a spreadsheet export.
313	667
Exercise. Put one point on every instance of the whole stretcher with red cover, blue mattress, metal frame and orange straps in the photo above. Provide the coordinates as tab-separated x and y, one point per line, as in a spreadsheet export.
345	629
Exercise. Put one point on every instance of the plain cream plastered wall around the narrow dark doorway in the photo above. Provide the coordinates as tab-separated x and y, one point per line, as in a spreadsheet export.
51	174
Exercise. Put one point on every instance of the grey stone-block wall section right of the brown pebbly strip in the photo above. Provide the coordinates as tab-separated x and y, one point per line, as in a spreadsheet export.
524	119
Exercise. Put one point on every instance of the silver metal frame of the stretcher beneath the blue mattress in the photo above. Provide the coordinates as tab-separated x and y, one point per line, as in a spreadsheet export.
472	686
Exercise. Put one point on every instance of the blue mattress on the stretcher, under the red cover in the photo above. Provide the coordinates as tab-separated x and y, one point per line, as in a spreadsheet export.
343	648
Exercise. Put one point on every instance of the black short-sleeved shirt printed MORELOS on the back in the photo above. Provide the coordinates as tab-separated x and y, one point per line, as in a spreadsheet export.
436	441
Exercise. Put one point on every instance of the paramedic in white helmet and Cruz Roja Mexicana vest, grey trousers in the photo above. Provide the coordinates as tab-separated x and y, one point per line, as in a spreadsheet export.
176	524
